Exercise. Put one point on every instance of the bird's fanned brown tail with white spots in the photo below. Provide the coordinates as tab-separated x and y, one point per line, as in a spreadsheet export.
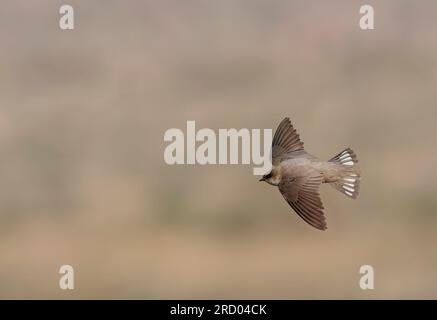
349	175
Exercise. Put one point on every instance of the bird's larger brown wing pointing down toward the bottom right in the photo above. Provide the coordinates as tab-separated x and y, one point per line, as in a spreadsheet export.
302	194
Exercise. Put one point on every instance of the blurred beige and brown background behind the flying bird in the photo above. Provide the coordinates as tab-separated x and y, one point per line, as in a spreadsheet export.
83	179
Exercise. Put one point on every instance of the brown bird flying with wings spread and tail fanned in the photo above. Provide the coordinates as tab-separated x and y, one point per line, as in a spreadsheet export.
299	174
